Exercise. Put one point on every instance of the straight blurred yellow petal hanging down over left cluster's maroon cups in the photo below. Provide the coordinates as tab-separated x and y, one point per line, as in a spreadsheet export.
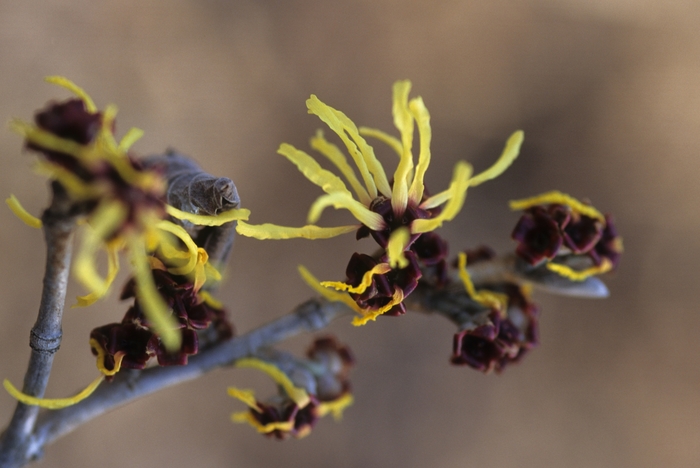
154	307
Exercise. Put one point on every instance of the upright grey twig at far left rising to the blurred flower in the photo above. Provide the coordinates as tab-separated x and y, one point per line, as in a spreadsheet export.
45	336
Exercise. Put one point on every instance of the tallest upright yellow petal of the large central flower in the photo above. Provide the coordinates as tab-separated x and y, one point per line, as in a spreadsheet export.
403	120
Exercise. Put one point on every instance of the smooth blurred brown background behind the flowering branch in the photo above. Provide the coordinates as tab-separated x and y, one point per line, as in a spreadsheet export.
608	93
